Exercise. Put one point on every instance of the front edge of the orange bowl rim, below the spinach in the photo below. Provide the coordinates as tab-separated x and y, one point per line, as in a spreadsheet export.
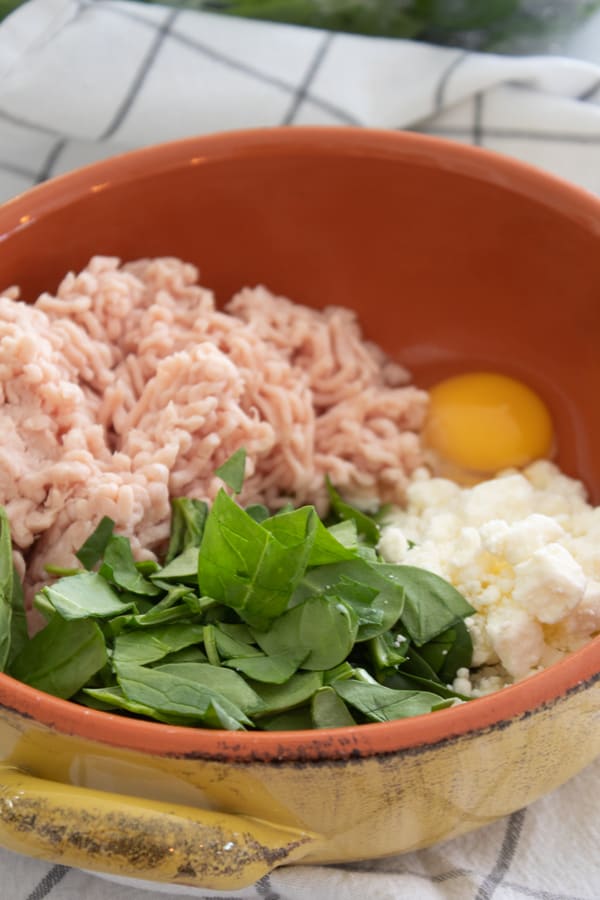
537	693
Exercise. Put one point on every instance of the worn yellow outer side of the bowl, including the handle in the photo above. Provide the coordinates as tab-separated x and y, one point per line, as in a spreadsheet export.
338	810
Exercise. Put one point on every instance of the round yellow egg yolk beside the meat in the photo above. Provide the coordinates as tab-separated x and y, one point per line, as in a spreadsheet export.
482	422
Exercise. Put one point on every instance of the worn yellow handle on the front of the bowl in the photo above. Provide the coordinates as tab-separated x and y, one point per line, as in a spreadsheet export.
131	836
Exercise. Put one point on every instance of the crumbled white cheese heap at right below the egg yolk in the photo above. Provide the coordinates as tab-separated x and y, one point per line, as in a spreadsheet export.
524	550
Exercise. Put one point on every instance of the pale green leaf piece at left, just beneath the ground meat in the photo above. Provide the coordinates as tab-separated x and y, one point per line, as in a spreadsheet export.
81	596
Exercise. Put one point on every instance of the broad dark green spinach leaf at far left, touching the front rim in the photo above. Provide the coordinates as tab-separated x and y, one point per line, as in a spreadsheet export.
62	657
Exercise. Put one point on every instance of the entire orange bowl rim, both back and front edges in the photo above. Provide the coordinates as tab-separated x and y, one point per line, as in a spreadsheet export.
577	671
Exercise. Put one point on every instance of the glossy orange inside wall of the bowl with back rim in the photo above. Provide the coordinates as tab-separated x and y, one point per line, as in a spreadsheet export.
454	258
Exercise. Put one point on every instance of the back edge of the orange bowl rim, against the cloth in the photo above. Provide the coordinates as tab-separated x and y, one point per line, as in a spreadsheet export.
348	140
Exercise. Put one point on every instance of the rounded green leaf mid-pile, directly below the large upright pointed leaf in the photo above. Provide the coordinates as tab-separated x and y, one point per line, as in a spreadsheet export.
324	629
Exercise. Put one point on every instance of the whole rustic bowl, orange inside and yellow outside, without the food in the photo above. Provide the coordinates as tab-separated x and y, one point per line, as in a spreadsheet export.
454	258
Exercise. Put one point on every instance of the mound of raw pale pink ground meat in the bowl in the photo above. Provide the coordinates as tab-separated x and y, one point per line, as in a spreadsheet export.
129	387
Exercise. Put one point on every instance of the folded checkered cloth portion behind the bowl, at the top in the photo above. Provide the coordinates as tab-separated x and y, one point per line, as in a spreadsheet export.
81	80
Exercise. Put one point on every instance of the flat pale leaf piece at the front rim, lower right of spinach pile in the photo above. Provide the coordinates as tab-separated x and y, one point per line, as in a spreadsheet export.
383	704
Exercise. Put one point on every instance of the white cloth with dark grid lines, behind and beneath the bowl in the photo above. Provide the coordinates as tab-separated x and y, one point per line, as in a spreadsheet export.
81	80
